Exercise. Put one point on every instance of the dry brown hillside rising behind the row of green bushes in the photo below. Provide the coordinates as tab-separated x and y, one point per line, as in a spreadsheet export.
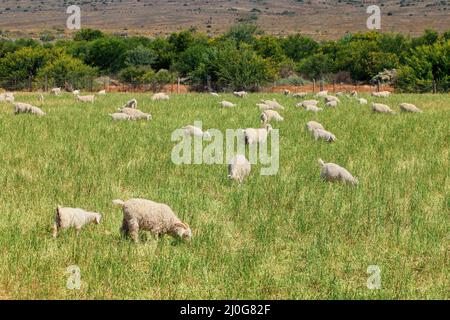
320	19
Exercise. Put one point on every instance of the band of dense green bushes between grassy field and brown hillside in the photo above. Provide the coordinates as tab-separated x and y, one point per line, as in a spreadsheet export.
242	58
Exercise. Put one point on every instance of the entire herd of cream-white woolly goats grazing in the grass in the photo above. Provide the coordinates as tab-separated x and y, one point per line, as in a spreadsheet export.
140	214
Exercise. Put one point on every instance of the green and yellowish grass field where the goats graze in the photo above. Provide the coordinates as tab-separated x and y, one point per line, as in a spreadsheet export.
289	236
